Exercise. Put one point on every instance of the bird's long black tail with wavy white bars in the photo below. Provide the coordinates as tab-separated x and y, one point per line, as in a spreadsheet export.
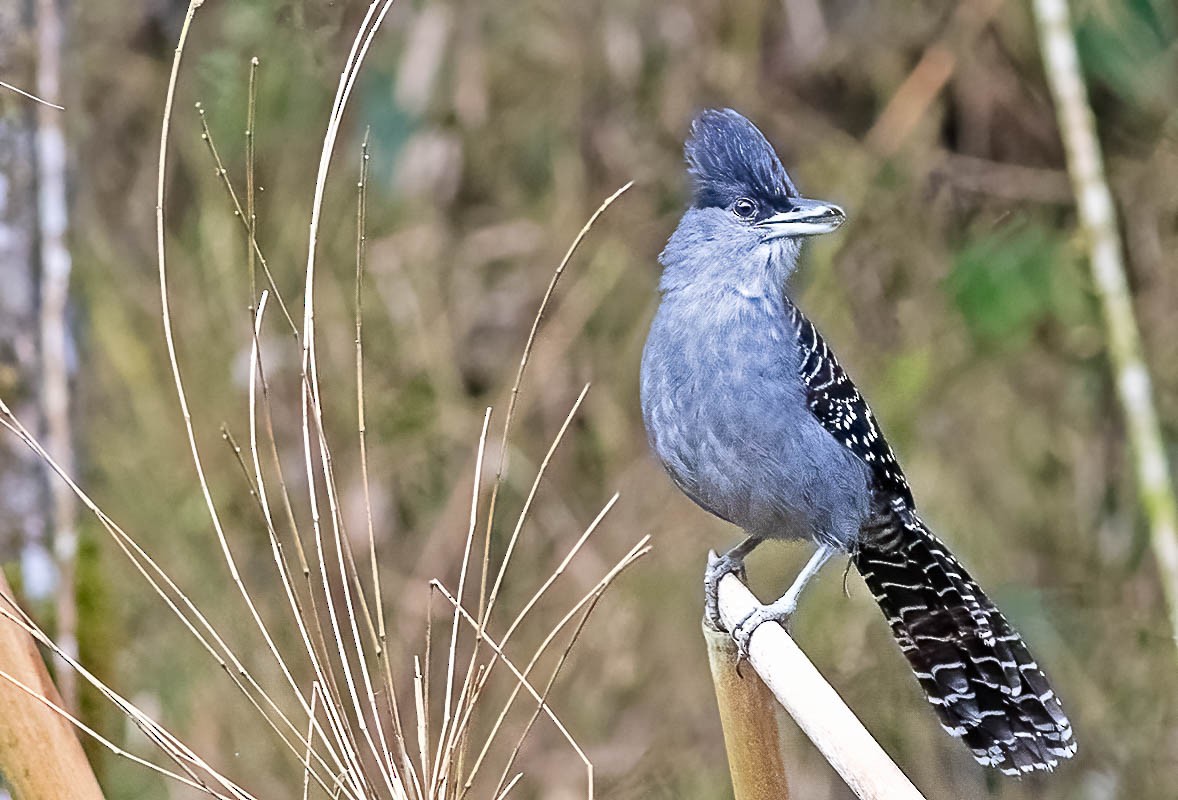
974	667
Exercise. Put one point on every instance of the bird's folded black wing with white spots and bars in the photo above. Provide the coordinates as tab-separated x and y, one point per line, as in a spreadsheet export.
837	405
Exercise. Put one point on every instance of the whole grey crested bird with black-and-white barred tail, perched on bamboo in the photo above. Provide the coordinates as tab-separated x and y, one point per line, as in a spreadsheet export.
755	419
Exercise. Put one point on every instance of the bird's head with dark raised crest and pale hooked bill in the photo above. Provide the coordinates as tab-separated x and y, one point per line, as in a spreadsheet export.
737	173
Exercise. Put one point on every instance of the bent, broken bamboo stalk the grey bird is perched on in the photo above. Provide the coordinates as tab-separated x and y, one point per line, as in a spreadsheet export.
751	736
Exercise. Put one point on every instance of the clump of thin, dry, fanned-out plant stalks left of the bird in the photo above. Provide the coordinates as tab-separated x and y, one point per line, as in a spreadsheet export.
348	735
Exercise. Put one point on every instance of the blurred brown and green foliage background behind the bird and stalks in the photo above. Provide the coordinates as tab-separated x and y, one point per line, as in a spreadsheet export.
957	295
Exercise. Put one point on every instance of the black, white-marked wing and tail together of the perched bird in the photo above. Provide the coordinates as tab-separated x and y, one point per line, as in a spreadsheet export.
972	666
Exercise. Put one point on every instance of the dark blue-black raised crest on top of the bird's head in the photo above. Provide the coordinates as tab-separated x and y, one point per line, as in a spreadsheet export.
729	157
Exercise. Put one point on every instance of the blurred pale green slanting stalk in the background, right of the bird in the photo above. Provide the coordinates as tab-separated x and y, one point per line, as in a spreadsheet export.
1098	219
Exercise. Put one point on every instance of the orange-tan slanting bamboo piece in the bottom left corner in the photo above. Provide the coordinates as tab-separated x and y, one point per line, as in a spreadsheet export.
41	757
